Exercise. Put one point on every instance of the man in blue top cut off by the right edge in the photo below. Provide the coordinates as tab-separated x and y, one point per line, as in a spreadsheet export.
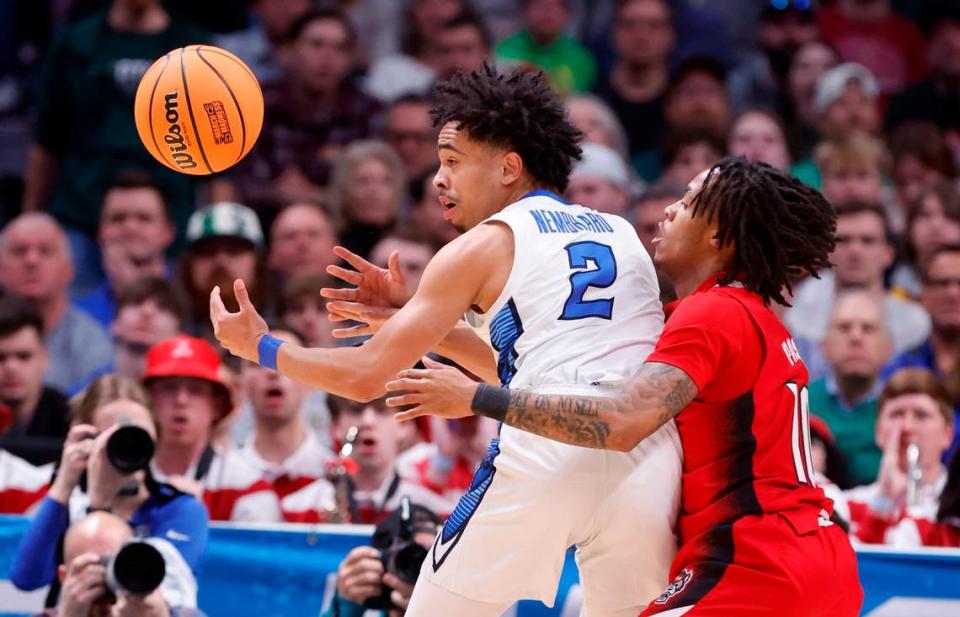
940	353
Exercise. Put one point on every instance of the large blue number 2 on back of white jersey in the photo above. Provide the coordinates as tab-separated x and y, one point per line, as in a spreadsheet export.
603	274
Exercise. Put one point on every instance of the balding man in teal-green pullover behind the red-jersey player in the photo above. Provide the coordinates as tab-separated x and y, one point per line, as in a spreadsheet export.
856	347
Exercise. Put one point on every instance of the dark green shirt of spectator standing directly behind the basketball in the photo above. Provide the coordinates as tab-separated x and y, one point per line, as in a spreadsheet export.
85	115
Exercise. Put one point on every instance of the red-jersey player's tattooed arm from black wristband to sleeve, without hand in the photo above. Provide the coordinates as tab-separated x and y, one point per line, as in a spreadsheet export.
620	422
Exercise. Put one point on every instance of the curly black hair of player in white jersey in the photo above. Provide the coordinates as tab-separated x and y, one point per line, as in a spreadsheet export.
518	111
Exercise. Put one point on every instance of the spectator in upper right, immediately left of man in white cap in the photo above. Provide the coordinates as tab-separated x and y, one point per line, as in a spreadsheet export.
809	63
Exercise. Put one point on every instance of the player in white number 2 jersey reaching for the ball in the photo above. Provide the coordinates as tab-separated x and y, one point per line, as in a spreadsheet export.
570	298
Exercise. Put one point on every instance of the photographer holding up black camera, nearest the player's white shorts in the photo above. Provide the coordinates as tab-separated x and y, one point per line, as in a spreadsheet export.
371	578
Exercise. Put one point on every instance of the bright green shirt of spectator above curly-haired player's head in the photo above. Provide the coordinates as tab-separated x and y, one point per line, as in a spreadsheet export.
568	63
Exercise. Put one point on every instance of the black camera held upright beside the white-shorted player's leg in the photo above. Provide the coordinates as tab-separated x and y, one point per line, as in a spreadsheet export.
400	554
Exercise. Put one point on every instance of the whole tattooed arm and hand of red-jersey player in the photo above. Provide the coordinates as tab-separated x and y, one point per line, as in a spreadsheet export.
636	410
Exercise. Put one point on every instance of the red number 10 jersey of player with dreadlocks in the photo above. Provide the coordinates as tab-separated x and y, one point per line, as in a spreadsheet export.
746	436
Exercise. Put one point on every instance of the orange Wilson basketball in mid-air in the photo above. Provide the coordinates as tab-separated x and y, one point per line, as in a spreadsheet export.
199	109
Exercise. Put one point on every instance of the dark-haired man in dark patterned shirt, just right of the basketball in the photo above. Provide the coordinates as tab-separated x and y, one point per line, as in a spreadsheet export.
310	115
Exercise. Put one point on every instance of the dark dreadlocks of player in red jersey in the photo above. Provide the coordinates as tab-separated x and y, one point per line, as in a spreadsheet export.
780	228
